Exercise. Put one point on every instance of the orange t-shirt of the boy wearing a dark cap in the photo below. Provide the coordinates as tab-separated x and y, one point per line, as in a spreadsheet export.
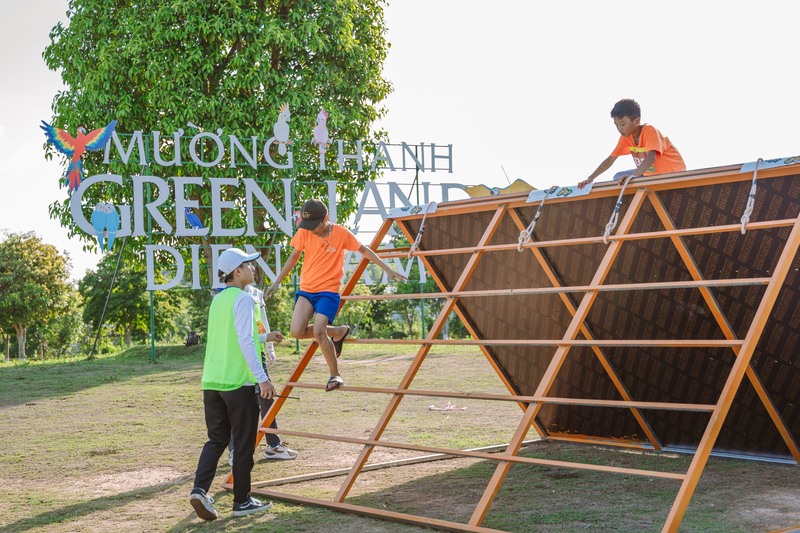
323	259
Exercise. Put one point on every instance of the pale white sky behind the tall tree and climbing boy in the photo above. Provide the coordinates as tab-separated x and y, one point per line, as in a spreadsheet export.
522	90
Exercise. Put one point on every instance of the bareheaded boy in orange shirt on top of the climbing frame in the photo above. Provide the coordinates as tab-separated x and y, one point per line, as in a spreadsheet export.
652	152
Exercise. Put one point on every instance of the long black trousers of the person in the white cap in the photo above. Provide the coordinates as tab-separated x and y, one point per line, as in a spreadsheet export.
229	414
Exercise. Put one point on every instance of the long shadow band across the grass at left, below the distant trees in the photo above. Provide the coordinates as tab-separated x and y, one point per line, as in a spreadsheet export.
38	380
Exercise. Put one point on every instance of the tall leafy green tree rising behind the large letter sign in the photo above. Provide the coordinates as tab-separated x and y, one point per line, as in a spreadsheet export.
159	65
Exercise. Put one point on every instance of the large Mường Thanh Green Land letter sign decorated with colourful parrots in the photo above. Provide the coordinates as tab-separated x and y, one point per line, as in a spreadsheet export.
169	199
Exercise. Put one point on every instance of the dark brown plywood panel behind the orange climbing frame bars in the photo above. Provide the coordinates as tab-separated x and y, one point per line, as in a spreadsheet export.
656	374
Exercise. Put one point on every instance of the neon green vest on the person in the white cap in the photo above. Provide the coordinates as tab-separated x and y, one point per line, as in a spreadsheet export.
224	367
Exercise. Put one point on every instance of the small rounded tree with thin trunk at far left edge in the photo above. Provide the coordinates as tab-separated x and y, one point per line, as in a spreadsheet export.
34	282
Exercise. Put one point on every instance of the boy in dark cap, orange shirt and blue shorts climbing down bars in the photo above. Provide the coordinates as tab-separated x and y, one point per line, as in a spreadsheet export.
323	244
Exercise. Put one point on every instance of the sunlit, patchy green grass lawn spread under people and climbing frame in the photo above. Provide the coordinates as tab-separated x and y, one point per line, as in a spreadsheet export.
112	444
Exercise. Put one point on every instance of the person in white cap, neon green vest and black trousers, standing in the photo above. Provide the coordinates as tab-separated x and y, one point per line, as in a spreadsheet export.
231	370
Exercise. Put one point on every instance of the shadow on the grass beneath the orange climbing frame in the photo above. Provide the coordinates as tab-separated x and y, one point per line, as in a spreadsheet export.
536	498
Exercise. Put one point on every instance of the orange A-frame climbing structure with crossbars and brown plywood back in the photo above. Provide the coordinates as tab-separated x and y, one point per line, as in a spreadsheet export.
677	329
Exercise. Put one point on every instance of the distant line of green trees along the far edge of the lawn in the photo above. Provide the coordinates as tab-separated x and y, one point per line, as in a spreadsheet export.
43	314
